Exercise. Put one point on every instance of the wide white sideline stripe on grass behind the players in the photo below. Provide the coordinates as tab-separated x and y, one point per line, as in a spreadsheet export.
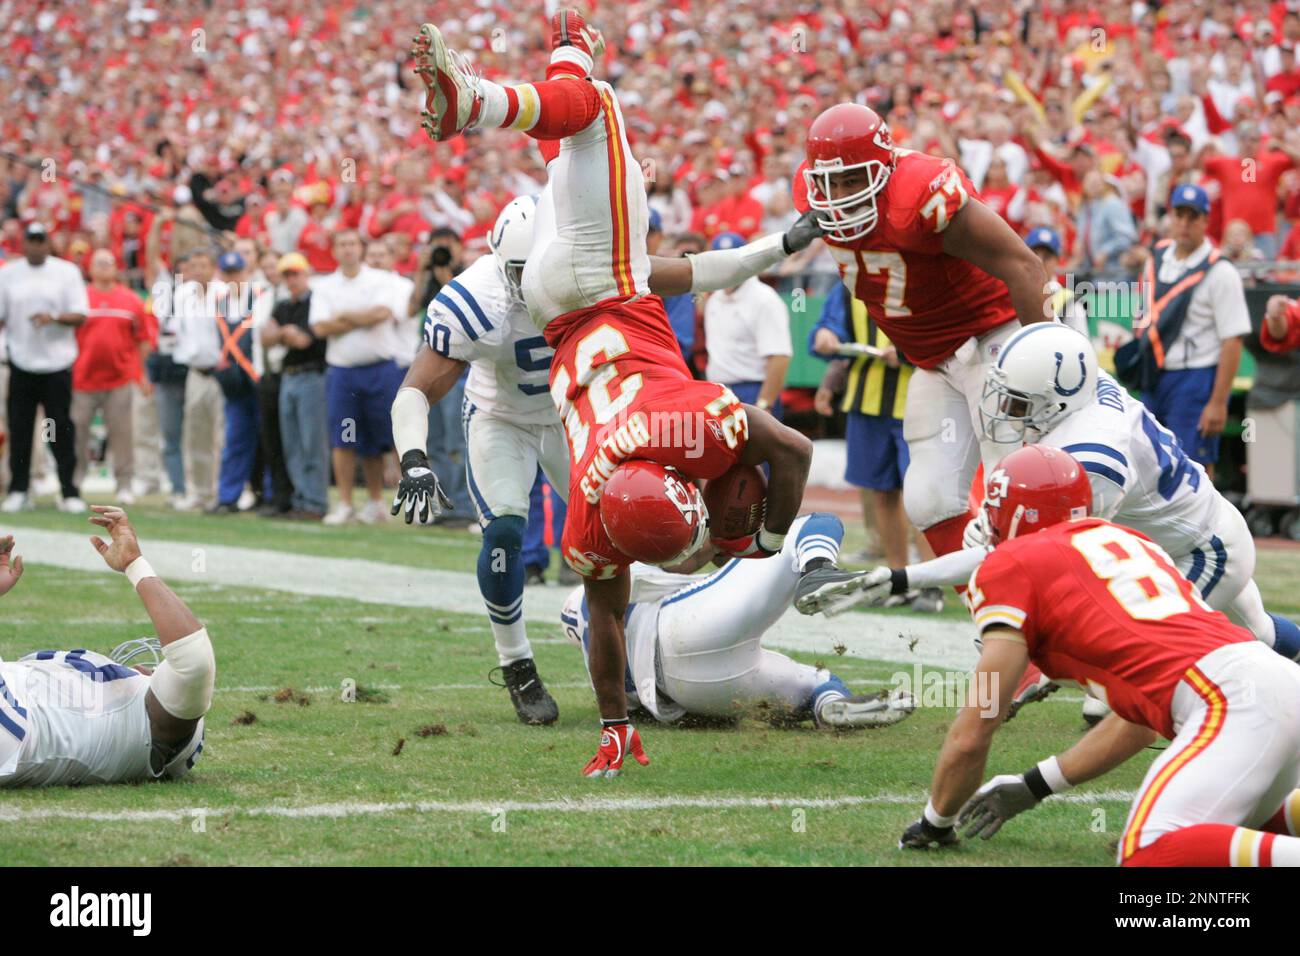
874	637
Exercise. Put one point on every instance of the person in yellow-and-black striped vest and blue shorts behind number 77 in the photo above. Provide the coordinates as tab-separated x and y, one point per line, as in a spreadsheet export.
874	384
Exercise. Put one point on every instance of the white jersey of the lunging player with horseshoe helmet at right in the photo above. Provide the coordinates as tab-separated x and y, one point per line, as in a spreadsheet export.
1141	477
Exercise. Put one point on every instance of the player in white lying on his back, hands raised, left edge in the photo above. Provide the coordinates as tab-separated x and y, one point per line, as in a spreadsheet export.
72	717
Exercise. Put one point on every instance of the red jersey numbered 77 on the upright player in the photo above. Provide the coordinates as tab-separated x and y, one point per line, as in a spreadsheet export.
926	301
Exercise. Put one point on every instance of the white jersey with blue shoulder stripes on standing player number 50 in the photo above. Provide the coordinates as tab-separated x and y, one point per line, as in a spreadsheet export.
475	319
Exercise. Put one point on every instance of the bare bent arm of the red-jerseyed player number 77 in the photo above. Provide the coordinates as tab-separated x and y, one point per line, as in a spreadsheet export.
983	239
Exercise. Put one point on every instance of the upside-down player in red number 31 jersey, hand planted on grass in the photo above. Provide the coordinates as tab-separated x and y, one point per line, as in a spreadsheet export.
618	380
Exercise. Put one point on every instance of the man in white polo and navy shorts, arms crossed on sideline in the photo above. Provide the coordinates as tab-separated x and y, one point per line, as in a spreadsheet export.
352	309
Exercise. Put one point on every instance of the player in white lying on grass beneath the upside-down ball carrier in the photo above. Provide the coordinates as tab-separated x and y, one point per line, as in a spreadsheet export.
694	644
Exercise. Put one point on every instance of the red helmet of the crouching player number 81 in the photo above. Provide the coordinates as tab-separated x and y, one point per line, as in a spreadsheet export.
1033	490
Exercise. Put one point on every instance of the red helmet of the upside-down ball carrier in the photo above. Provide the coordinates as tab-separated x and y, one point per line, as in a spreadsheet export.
653	514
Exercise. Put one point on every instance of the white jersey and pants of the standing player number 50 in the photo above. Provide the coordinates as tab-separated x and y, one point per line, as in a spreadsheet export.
510	421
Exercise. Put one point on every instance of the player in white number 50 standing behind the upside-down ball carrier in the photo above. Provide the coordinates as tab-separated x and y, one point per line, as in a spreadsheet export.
512	427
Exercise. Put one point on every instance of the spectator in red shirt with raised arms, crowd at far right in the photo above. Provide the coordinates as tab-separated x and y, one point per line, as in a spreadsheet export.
1249	184
